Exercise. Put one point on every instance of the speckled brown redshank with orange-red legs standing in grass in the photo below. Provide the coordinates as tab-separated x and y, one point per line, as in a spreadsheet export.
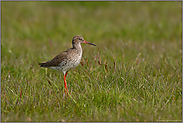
68	59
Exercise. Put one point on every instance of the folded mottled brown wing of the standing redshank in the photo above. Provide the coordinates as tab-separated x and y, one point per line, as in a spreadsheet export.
55	61
